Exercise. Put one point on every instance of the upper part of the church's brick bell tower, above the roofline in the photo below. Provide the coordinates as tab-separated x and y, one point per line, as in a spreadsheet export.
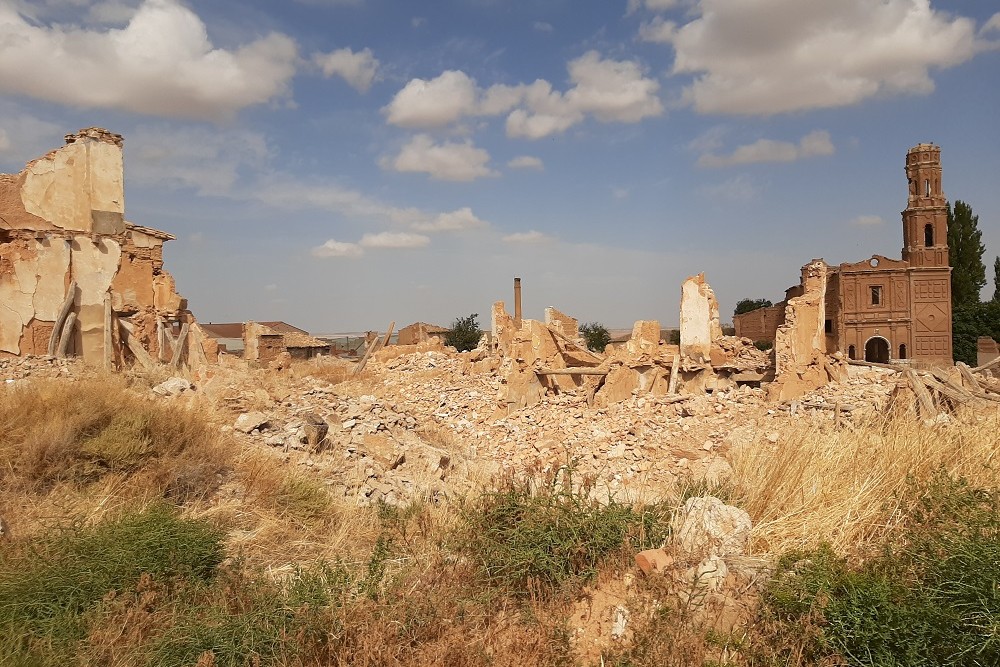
925	220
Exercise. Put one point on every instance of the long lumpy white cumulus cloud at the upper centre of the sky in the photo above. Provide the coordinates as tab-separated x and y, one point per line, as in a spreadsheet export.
609	90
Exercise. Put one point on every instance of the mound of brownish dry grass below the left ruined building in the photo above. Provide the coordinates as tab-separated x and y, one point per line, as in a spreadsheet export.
55	432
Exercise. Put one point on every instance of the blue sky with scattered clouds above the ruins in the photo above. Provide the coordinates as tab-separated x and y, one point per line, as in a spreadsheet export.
342	163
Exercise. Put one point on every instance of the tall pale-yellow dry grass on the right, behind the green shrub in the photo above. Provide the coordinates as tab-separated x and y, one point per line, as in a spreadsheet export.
849	486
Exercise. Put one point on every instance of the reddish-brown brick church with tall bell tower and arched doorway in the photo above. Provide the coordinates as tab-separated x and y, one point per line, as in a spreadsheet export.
883	309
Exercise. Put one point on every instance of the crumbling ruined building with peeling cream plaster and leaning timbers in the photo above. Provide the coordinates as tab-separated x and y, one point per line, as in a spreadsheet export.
76	278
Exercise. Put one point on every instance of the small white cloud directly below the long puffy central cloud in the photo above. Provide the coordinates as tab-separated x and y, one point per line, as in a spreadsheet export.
448	161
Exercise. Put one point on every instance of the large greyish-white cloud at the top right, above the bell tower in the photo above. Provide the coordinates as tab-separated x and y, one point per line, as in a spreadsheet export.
790	55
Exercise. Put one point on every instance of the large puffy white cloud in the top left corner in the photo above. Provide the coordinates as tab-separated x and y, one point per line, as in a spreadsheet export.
162	63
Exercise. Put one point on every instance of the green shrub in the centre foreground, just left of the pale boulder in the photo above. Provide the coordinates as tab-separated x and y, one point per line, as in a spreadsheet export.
520	539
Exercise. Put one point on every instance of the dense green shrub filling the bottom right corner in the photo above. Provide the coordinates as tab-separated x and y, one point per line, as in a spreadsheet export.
934	600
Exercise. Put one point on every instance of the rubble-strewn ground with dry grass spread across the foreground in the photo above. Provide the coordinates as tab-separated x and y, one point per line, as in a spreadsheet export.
382	512
